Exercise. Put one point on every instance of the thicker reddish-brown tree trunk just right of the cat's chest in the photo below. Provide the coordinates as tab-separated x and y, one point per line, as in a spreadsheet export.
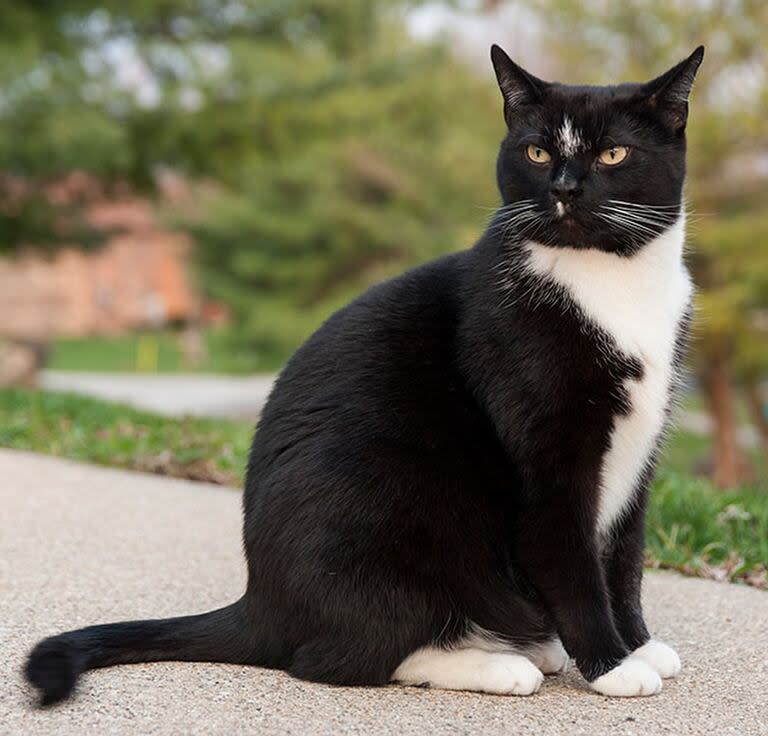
727	457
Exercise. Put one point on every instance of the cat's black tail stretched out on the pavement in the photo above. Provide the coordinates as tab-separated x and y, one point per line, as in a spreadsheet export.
218	636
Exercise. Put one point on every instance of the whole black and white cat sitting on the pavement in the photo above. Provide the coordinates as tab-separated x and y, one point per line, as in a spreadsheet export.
449	480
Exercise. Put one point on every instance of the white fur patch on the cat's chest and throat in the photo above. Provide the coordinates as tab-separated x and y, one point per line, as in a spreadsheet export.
638	301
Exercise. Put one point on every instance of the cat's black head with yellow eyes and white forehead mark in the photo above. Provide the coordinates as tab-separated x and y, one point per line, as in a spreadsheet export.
593	167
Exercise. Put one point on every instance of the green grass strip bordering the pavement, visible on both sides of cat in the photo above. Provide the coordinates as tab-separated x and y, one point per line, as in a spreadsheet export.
692	527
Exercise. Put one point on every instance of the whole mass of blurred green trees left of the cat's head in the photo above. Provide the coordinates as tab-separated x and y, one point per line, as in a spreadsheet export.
338	149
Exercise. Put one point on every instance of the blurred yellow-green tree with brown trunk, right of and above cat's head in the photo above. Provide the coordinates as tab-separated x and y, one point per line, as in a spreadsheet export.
728	181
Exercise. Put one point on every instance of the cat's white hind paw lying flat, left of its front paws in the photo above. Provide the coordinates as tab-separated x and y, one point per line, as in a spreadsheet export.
500	673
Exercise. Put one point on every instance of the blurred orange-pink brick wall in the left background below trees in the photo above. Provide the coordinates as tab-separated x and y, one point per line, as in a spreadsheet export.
139	278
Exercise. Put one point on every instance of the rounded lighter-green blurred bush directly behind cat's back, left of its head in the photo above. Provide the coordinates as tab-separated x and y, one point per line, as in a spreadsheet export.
348	175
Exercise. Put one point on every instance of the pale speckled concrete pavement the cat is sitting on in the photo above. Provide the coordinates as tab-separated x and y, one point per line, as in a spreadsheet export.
82	545
